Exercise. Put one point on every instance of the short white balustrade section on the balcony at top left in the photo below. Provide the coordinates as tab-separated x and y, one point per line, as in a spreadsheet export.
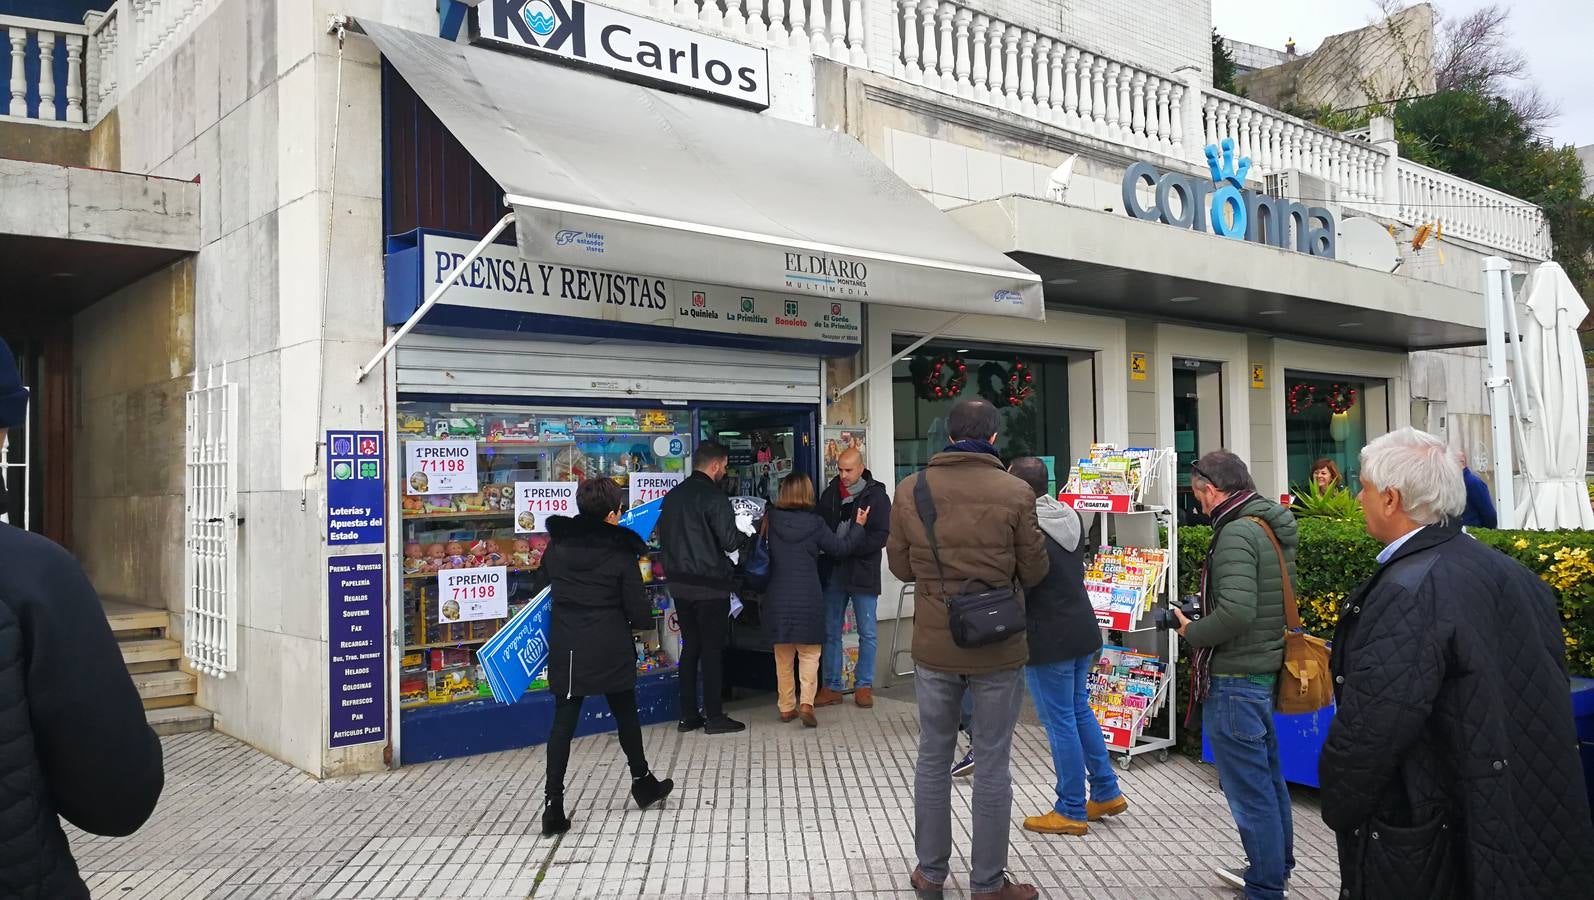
44	49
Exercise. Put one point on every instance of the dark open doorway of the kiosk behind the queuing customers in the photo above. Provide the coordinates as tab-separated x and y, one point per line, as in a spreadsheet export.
768	444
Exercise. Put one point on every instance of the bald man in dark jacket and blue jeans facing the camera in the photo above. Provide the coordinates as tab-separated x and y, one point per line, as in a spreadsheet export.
855	579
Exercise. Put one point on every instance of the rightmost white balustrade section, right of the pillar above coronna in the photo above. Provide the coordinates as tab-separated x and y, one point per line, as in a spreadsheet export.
1470	211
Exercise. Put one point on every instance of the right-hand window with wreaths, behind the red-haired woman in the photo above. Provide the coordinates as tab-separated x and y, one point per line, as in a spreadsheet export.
1325	420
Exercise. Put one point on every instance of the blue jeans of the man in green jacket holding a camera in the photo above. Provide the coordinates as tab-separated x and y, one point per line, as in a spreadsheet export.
1239	726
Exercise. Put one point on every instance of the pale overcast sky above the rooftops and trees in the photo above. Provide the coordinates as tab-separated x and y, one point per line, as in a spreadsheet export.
1555	36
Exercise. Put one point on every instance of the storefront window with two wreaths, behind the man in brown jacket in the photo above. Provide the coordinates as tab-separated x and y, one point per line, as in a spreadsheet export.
1031	389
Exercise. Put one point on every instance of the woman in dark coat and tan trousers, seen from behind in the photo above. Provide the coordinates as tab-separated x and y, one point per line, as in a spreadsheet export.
795	601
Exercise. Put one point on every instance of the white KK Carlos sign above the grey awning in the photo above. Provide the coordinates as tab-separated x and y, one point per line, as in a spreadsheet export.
632	47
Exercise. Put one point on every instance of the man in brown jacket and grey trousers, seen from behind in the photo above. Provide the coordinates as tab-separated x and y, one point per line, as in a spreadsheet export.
986	531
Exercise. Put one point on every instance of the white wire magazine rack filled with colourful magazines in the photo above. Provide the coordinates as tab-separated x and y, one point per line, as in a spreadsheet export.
1134	683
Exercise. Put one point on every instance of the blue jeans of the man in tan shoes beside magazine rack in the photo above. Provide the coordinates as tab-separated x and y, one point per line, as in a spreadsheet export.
1075	735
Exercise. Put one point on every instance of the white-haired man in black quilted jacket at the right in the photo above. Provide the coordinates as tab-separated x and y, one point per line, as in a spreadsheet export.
1451	769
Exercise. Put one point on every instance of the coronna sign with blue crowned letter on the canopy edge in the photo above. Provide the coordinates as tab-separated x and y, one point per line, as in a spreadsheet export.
1223	205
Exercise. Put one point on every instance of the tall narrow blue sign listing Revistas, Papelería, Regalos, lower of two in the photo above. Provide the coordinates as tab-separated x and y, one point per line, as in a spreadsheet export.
355	633
